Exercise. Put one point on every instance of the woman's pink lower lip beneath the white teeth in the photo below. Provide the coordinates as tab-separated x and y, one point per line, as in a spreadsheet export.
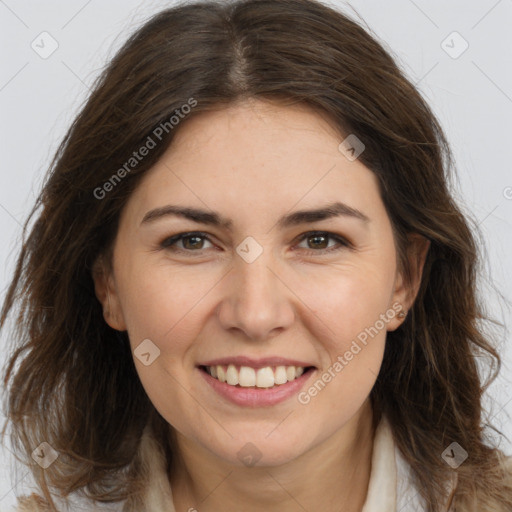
257	397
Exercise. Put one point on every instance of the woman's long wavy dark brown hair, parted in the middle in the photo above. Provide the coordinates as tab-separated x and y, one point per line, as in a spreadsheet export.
76	386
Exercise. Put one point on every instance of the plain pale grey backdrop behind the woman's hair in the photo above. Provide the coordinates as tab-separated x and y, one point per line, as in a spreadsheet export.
465	76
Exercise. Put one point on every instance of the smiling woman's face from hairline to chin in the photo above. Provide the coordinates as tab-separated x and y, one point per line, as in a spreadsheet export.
256	287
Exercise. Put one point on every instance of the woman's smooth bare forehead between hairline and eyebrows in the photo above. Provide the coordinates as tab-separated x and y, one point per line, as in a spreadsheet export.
258	157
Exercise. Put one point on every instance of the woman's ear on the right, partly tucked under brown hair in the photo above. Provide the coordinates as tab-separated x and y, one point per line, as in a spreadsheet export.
405	293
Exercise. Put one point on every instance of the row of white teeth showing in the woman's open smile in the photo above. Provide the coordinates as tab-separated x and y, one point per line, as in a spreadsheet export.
248	377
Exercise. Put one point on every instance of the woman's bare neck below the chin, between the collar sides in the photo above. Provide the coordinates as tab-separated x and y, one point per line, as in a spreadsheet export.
332	475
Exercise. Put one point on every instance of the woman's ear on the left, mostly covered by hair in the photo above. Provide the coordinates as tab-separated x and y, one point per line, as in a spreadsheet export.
106	292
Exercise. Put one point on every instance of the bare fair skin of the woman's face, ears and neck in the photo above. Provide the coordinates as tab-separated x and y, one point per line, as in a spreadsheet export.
253	163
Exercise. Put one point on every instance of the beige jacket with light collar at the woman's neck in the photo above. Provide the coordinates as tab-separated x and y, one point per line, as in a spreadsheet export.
390	487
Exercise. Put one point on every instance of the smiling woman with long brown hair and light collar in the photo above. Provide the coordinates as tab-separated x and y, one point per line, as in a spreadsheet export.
247	284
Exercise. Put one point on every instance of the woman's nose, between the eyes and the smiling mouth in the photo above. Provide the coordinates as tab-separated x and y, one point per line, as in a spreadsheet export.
257	301
